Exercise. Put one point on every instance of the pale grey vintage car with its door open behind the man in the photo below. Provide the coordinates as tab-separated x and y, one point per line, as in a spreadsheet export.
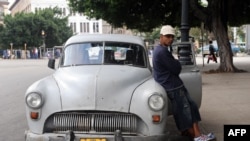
95	95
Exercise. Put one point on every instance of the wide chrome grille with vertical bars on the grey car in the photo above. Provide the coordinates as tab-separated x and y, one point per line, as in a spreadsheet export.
104	123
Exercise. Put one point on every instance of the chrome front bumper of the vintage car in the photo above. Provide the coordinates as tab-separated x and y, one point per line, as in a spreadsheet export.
70	136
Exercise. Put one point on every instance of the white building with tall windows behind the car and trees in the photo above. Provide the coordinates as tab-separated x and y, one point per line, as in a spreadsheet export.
77	21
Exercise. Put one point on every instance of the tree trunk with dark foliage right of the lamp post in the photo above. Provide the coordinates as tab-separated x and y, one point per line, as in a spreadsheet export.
217	16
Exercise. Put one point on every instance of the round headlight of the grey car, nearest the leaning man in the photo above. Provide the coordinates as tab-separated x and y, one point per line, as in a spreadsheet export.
156	102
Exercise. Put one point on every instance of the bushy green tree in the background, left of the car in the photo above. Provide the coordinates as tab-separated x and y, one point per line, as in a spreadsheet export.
27	27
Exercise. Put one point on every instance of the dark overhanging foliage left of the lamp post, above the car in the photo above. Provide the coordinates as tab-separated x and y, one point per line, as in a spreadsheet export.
143	15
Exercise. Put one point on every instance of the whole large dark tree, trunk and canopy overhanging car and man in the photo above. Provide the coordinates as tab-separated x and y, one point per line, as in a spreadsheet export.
145	15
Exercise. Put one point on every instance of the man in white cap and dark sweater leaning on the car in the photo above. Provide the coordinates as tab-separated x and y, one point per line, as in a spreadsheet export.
166	70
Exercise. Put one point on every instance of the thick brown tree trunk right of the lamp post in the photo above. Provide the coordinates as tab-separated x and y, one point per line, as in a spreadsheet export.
219	28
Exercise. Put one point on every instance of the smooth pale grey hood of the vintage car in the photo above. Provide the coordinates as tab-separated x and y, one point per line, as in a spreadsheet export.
107	88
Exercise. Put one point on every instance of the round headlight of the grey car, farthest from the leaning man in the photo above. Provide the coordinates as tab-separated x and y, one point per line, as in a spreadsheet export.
34	100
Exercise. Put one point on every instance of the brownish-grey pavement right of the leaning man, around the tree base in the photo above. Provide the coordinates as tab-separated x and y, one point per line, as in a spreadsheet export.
226	97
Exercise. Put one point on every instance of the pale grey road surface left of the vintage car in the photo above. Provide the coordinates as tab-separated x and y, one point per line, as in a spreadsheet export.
16	76
